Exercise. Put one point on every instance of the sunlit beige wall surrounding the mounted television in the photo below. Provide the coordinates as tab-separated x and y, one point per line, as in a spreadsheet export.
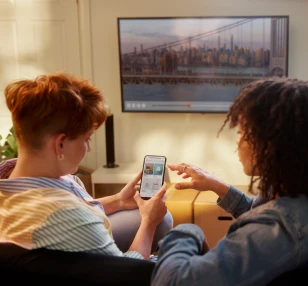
181	137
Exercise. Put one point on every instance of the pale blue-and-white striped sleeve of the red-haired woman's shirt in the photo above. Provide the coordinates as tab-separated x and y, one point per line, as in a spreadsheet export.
77	229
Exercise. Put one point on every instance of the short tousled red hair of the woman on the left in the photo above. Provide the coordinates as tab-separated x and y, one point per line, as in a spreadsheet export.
54	104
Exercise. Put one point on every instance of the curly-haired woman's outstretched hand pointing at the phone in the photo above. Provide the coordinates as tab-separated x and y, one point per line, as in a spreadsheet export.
201	180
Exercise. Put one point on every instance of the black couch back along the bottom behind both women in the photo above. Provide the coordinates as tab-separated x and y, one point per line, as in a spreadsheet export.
19	266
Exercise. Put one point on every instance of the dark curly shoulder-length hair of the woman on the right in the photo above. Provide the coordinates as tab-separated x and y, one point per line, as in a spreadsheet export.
273	114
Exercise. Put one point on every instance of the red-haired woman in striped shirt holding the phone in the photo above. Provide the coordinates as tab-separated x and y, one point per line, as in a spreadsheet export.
41	204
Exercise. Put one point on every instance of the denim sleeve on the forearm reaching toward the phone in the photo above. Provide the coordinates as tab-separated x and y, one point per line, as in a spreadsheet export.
235	202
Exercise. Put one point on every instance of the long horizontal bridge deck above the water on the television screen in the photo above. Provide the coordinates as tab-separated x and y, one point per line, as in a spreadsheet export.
189	79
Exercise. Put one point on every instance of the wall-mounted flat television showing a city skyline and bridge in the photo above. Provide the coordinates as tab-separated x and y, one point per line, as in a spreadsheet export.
197	64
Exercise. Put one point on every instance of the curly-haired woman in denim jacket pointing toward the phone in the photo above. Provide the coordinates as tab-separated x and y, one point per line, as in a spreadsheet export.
270	234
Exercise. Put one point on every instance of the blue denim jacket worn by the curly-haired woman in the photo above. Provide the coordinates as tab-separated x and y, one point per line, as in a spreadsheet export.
267	239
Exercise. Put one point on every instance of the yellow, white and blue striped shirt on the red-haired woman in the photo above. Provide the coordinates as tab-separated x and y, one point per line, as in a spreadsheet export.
58	214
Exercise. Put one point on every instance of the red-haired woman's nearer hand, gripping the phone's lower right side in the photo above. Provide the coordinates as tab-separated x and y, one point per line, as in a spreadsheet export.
153	211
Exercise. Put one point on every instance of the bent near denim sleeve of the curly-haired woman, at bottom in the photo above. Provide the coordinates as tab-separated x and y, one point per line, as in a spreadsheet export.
252	254
